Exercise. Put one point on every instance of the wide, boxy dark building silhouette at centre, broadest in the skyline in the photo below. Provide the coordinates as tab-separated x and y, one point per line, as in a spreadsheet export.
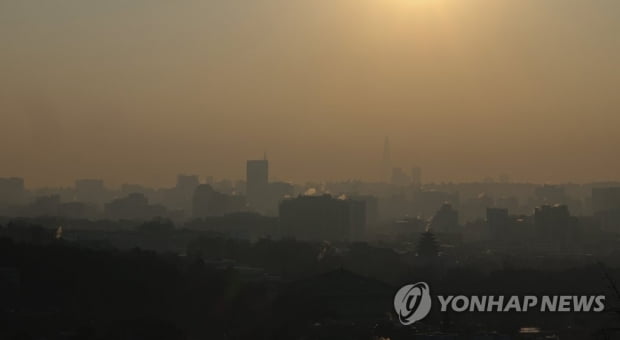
322	218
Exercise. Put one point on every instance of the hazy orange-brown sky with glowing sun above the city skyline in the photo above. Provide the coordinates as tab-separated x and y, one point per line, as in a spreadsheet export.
138	91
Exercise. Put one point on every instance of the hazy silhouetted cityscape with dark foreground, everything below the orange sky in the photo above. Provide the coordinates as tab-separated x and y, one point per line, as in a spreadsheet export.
256	258
